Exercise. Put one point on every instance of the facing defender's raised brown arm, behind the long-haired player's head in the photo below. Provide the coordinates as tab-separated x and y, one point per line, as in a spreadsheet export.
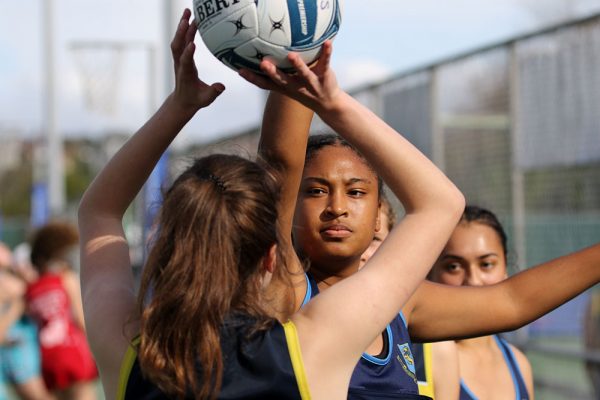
284	134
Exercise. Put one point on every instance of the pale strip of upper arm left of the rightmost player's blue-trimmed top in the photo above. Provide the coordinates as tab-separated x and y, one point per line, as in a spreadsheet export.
446	375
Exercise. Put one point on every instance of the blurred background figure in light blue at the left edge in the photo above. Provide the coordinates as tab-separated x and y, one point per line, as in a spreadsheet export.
19	350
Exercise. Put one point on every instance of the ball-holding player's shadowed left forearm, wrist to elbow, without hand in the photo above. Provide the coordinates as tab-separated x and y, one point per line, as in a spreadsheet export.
121	179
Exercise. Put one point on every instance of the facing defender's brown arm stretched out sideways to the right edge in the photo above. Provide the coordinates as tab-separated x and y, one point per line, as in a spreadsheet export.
516	301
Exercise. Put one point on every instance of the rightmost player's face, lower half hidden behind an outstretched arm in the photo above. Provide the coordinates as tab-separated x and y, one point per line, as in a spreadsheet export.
473	256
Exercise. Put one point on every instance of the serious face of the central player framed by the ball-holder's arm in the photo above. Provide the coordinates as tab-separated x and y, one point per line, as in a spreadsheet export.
337	210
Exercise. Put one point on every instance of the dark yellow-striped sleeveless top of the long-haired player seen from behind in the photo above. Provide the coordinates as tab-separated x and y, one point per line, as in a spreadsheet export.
266	366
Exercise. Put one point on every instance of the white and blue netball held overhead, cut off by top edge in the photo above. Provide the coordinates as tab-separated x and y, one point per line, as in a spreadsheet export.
241	33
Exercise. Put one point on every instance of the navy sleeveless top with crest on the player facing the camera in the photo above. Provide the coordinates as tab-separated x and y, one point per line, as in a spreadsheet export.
392	374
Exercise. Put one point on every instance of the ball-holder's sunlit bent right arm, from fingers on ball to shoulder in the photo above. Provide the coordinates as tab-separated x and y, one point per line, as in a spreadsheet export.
341	322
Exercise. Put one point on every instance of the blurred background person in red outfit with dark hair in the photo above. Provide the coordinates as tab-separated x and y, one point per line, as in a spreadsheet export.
54	302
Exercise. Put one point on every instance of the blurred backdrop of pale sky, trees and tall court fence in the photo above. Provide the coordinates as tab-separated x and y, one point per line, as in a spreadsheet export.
503	95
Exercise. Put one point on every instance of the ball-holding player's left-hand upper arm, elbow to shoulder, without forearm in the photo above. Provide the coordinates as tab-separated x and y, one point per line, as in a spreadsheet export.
107	289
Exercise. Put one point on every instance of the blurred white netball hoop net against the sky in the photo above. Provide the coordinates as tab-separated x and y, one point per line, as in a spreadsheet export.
99	65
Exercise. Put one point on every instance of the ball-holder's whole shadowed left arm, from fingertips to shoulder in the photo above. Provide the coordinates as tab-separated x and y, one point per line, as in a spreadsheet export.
106	275
